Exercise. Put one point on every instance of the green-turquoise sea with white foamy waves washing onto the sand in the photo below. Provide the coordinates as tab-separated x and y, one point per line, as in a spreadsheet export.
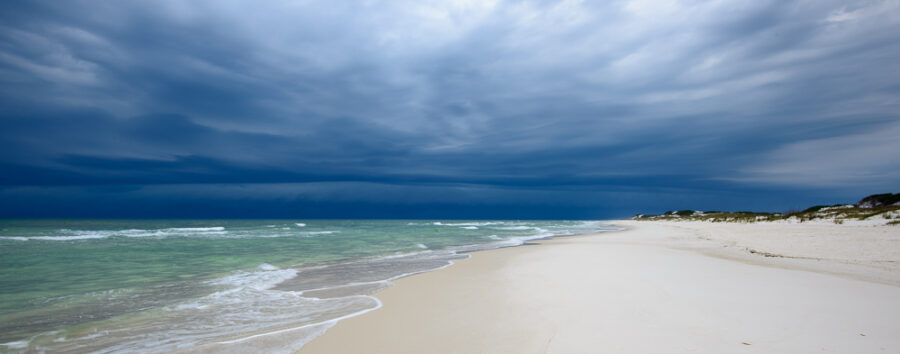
218	285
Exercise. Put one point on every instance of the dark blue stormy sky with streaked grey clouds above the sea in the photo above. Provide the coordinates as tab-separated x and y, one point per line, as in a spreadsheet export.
444	109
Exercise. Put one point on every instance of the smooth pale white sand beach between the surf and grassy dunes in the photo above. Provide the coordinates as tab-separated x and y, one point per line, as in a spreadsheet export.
657	287
